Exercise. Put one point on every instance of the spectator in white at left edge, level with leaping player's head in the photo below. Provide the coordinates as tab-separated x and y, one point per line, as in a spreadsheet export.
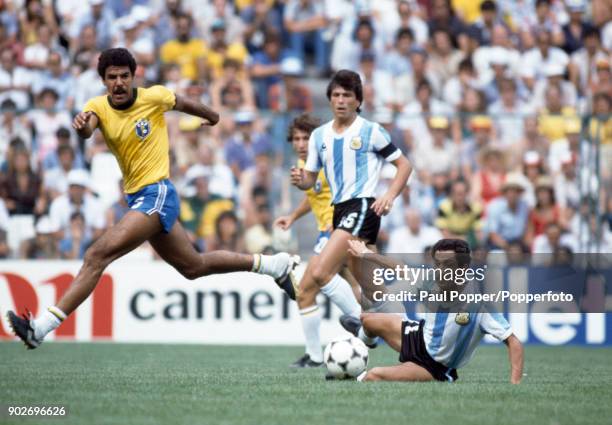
15	81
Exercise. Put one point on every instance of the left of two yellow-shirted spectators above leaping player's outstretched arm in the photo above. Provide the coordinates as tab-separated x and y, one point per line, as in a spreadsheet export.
185	50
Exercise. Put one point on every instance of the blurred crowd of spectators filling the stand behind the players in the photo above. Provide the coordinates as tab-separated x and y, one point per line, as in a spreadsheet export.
503	108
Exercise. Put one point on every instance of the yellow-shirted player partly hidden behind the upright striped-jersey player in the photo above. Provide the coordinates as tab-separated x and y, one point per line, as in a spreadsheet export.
318	199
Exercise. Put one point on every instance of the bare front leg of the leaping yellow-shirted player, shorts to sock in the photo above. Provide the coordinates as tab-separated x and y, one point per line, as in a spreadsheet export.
131	231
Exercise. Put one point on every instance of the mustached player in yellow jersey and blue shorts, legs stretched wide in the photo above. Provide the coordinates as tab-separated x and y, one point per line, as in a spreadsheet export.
132	122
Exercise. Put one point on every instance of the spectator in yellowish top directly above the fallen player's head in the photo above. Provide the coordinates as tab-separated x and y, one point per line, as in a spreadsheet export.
458	217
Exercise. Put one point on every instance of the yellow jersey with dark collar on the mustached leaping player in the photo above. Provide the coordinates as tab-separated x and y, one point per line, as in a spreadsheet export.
137	136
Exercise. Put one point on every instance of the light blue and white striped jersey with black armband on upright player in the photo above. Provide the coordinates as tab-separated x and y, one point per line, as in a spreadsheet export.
352	160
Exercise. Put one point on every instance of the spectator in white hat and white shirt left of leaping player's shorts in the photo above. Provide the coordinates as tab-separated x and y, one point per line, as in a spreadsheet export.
78	199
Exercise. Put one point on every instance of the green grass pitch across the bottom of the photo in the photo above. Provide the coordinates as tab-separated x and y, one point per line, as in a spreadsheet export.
190	384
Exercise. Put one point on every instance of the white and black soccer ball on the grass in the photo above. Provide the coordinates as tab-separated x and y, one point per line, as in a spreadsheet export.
346	357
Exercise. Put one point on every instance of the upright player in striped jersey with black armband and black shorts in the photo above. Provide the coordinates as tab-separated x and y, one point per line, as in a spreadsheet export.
351	151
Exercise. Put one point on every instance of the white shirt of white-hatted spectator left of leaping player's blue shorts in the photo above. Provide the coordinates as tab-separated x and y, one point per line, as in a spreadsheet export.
61	209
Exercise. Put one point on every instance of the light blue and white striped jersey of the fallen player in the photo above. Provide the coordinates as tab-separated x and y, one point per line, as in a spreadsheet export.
453	344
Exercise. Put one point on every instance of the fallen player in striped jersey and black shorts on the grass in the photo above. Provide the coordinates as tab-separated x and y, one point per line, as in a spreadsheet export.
435	347
